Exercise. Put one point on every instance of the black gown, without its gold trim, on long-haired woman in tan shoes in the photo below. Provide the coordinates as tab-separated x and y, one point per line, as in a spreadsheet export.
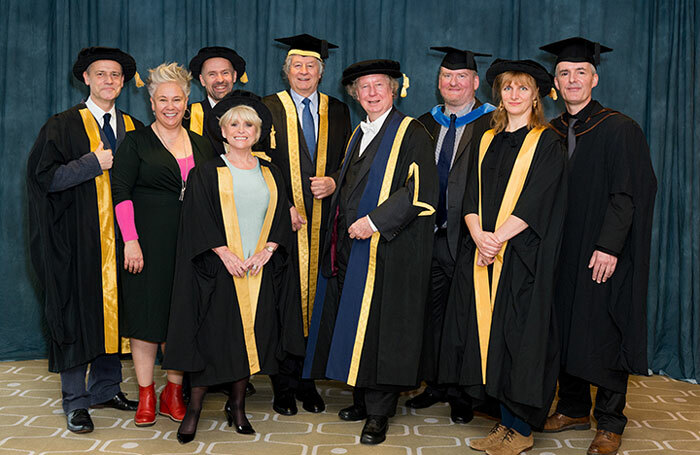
523	349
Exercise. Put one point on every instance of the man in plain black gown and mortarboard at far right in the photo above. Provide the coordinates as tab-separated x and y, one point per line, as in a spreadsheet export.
604	264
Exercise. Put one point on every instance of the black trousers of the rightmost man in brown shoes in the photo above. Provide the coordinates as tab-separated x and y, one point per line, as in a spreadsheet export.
575	401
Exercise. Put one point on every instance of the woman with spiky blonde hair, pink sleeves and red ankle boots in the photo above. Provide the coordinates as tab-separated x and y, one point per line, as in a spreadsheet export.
148	184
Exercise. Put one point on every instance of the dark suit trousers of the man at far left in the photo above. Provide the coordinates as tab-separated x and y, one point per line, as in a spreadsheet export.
103	383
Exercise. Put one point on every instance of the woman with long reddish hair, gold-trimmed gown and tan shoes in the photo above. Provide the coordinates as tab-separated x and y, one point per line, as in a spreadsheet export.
499	338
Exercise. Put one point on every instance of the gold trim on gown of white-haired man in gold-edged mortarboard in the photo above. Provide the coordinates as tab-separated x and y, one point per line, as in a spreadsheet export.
308	255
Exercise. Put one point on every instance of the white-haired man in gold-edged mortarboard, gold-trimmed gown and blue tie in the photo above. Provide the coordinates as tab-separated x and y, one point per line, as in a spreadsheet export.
310	130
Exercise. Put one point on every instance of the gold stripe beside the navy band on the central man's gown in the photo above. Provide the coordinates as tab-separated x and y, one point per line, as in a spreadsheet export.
384	193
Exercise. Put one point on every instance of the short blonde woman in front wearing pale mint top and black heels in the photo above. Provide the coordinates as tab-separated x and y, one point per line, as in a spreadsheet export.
229	298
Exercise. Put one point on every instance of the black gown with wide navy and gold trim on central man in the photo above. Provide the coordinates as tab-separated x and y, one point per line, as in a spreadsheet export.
391	347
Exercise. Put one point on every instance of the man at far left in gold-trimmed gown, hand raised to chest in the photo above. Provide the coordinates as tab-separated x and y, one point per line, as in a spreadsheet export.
72	231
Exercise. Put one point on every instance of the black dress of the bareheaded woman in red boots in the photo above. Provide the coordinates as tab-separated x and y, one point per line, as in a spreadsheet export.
146	172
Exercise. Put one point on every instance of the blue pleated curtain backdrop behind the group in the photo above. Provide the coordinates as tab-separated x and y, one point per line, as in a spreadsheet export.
651	76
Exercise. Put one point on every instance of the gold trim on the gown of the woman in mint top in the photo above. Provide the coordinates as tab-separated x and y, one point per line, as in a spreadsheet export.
248	287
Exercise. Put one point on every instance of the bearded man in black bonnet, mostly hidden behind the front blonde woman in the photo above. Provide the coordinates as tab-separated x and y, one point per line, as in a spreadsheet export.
217	68
